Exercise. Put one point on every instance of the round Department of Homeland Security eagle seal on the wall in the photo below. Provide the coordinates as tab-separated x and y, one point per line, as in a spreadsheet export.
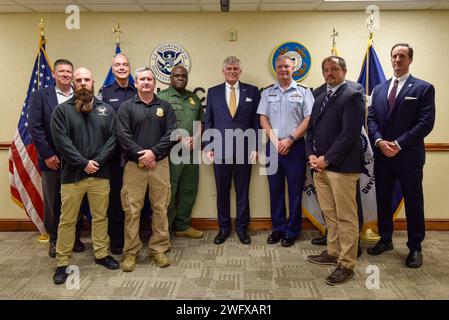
165	57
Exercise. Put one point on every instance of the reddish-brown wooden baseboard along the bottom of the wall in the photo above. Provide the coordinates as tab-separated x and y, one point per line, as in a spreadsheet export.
212	224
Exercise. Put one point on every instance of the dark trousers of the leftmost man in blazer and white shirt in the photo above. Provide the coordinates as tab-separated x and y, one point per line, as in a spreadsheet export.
51	187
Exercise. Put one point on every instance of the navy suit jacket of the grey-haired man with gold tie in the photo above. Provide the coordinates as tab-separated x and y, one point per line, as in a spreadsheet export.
218	116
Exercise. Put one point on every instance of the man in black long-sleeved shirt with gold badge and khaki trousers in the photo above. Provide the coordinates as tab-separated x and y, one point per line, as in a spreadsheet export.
145	124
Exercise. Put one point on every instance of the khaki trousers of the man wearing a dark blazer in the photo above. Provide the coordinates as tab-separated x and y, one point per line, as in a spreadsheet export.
337	198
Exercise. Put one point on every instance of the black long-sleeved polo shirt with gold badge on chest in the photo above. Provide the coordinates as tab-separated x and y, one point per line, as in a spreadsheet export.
145	126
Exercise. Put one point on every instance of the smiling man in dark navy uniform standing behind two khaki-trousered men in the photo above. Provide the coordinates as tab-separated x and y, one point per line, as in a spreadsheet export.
114	95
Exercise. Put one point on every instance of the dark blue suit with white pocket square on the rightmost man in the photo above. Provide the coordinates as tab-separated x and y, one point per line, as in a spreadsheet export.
410	120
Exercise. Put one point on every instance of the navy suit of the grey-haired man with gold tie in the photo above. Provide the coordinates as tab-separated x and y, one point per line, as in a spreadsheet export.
225	167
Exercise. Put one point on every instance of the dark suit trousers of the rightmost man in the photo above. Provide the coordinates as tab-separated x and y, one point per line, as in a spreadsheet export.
409	176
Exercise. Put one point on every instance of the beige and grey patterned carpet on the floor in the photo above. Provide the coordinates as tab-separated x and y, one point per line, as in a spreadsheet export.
202	270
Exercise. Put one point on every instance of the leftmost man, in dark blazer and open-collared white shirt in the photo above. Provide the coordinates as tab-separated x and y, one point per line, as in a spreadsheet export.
42	104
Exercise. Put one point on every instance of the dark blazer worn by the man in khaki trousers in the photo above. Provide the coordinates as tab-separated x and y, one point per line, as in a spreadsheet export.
335	132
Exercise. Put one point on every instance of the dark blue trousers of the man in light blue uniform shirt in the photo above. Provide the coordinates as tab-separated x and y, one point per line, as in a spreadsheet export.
291	167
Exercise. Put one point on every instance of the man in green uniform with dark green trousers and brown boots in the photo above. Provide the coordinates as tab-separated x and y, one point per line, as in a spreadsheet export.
184	176
